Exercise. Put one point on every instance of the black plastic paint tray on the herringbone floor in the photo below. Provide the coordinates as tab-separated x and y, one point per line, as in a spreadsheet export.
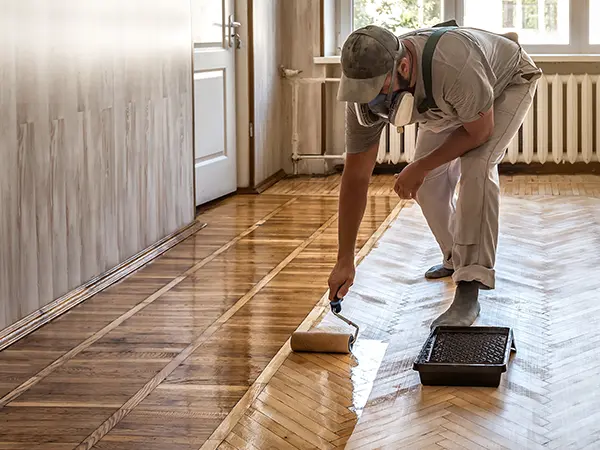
465	356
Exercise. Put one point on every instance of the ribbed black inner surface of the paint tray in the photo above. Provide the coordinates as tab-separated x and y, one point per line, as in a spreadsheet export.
465	348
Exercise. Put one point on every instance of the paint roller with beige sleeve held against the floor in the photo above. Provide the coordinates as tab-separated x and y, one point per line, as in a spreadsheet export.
323	341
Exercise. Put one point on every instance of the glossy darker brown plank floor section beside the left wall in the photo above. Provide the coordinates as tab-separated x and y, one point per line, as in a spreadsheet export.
159	360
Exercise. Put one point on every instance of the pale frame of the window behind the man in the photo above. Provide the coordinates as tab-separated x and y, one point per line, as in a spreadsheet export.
454	9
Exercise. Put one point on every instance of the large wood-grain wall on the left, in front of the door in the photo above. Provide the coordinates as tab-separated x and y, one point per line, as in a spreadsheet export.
95	133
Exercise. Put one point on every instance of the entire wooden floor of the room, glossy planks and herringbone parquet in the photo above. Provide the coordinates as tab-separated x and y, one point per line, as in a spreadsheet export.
192	351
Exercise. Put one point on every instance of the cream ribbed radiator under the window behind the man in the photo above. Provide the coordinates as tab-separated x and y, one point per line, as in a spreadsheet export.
560	126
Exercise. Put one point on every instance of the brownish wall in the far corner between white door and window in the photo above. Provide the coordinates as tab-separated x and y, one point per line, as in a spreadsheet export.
286	33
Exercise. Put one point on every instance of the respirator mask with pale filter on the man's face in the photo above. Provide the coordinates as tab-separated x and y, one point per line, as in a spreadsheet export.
395	107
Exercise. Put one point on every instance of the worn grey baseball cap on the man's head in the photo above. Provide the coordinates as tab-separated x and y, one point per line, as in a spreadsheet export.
367	57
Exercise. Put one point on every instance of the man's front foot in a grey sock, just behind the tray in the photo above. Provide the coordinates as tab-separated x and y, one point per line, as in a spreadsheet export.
464	309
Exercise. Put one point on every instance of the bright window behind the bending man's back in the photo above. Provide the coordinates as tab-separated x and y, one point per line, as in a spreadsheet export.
544	26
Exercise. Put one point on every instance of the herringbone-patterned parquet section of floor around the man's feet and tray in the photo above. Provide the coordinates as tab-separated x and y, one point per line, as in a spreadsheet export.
548	286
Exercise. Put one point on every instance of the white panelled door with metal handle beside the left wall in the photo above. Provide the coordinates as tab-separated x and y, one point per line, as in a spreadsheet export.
214	30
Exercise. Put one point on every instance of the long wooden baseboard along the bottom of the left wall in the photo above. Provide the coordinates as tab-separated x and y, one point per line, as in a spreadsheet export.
52	310
